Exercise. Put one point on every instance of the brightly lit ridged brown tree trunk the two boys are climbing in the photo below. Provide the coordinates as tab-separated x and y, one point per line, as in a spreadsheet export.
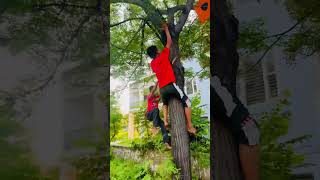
180	138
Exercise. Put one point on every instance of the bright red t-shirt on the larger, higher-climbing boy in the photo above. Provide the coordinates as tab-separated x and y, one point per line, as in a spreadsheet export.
161	66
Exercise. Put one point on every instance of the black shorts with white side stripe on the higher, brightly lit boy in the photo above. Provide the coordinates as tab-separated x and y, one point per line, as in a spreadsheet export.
173	91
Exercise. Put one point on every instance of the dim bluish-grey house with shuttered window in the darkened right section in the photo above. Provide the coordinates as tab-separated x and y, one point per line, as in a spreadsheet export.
260	88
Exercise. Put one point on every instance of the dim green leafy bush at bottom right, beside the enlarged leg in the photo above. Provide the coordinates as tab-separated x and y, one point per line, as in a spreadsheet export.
277	159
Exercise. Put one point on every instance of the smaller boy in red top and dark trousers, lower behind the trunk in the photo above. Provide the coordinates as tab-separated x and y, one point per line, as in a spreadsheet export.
153	114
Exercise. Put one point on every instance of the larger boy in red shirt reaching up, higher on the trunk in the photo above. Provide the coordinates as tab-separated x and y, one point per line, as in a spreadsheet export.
161	66
